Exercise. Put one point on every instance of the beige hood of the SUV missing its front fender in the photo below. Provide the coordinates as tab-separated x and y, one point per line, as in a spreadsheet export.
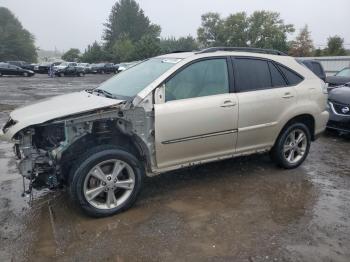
56	107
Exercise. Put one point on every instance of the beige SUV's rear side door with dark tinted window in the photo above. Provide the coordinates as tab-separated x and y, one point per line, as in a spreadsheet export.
265	97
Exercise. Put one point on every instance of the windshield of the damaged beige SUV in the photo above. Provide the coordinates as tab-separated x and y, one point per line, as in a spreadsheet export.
133	80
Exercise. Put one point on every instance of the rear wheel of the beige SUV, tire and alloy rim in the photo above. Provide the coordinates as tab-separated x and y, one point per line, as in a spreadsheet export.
290	153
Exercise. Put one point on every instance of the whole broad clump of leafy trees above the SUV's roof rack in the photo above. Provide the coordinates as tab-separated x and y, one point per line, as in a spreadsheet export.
263	29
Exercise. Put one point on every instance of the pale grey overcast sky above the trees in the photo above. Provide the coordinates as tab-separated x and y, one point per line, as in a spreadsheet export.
63	24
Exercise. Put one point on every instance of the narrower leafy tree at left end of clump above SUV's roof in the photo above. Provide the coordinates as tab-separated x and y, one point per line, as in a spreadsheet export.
211	31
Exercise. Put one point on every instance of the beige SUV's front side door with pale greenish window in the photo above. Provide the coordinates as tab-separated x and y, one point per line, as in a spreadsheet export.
198	119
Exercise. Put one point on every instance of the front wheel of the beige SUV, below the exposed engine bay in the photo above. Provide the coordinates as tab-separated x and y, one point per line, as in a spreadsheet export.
125	185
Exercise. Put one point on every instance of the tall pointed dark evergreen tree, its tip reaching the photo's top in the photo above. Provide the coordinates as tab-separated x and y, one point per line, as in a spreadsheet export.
127	19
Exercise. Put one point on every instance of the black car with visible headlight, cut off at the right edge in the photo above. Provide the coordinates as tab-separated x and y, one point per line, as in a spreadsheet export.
339	109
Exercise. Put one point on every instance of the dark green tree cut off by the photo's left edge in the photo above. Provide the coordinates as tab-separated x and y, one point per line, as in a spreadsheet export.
16	43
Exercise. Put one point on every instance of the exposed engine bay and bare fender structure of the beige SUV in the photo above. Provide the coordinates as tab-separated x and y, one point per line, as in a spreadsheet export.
46	152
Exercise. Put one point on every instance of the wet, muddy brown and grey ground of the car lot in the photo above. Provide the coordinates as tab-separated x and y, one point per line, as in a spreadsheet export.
245	209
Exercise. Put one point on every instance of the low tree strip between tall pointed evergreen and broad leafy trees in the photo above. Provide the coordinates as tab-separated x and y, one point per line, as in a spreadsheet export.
169	45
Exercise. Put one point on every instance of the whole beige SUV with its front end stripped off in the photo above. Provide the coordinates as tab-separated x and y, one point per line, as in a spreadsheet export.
167	113
